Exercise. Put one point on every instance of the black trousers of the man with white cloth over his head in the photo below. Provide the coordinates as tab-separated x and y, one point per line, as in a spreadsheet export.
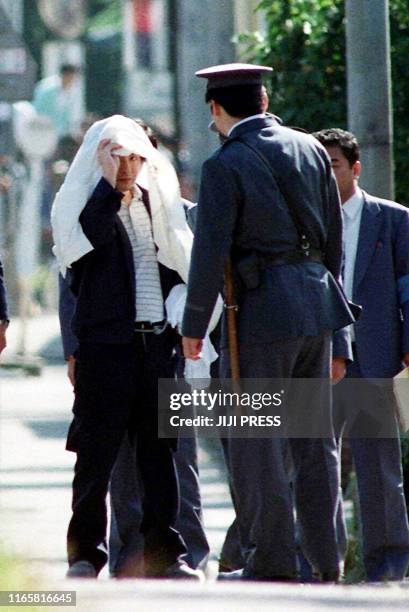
116	395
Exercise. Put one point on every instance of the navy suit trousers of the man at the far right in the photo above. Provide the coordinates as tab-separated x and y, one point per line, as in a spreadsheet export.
378	470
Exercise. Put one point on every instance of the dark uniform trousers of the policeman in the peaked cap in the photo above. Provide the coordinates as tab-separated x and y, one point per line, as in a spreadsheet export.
259	478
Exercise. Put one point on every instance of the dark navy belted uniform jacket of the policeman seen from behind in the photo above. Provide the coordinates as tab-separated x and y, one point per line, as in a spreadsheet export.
243	209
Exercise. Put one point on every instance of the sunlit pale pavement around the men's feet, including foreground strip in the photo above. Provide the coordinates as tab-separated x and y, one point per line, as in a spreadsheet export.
35	485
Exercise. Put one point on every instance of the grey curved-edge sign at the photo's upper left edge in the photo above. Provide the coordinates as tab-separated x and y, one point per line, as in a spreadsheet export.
17	68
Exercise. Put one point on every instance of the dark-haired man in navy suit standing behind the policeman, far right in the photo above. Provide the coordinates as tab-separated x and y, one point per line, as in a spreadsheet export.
376	274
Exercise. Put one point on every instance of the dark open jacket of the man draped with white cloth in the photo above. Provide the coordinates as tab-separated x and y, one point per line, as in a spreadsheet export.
103	281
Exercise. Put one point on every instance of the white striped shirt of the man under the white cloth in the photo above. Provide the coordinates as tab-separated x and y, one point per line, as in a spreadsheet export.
137	222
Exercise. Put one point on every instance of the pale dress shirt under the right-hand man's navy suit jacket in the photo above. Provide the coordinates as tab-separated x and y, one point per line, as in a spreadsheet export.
351	213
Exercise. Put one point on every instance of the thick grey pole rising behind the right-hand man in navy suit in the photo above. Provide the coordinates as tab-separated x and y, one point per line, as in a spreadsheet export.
370	91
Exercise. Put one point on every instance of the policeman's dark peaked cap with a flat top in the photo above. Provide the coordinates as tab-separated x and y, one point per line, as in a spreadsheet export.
229	75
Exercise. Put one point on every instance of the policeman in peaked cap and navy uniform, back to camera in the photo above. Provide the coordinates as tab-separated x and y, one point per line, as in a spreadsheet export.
256	192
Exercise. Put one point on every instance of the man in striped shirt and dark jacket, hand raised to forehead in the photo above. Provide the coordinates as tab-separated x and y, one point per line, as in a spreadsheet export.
120	357
